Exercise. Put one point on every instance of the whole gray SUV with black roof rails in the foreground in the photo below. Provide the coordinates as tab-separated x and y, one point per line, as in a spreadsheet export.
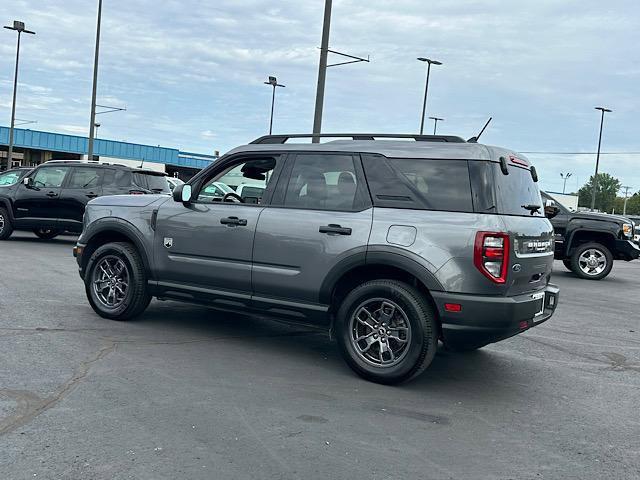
392	245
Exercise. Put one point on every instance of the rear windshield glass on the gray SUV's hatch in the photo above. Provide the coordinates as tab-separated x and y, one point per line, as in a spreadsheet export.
515	191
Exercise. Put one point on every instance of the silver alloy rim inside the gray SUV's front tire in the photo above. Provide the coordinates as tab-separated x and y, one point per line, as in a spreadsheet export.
111	281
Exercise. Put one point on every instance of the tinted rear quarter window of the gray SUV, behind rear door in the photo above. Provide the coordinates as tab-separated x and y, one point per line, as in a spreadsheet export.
419	184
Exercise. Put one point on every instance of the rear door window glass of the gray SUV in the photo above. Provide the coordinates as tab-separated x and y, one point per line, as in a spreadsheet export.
322	182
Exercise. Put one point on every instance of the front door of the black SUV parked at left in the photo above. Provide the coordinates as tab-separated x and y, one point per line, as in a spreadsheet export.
38	204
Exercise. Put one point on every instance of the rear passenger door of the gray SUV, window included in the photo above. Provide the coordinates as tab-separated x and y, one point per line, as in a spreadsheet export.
319	217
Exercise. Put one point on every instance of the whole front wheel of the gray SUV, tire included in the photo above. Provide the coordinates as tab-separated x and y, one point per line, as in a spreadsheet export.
116	282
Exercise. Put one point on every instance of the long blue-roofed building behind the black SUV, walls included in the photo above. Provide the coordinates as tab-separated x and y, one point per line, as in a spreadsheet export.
32	147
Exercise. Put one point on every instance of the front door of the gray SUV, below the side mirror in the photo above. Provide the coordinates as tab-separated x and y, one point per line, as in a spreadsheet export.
206	245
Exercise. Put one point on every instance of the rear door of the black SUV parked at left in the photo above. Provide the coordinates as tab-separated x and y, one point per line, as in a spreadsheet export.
84	184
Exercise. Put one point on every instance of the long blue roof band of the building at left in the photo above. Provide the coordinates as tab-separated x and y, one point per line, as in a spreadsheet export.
59	142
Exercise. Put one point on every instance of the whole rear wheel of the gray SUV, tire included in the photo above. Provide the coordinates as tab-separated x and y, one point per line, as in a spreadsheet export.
386	331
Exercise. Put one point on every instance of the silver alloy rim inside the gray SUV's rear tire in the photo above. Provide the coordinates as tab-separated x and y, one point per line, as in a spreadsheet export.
380	332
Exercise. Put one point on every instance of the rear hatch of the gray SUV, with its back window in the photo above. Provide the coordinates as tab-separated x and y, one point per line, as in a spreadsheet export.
519	203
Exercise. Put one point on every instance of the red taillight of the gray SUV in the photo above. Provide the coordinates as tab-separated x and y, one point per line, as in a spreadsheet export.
491	255
